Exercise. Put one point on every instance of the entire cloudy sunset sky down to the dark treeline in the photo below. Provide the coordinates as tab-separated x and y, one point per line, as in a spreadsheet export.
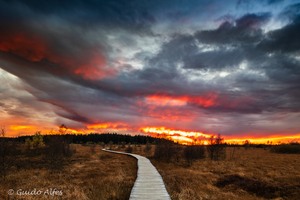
185	68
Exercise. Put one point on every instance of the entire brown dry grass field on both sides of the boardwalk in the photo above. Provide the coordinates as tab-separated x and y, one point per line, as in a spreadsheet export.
245	174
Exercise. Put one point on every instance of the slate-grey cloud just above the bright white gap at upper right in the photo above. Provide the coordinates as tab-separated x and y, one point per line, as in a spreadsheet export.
227	46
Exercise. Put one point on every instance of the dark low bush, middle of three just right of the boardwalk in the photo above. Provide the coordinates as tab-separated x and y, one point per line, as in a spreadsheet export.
192	153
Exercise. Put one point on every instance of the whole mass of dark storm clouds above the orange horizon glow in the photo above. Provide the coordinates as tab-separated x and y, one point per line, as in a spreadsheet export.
66	51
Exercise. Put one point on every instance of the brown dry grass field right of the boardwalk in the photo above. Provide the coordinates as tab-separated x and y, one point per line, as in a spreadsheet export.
248	174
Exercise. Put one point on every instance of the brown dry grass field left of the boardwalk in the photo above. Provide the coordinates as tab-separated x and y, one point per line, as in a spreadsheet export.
89	174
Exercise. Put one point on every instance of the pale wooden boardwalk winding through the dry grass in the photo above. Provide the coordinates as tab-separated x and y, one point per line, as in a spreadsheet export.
148	184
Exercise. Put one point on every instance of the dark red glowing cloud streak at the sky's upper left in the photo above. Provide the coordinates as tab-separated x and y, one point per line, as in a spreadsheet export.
91	64
